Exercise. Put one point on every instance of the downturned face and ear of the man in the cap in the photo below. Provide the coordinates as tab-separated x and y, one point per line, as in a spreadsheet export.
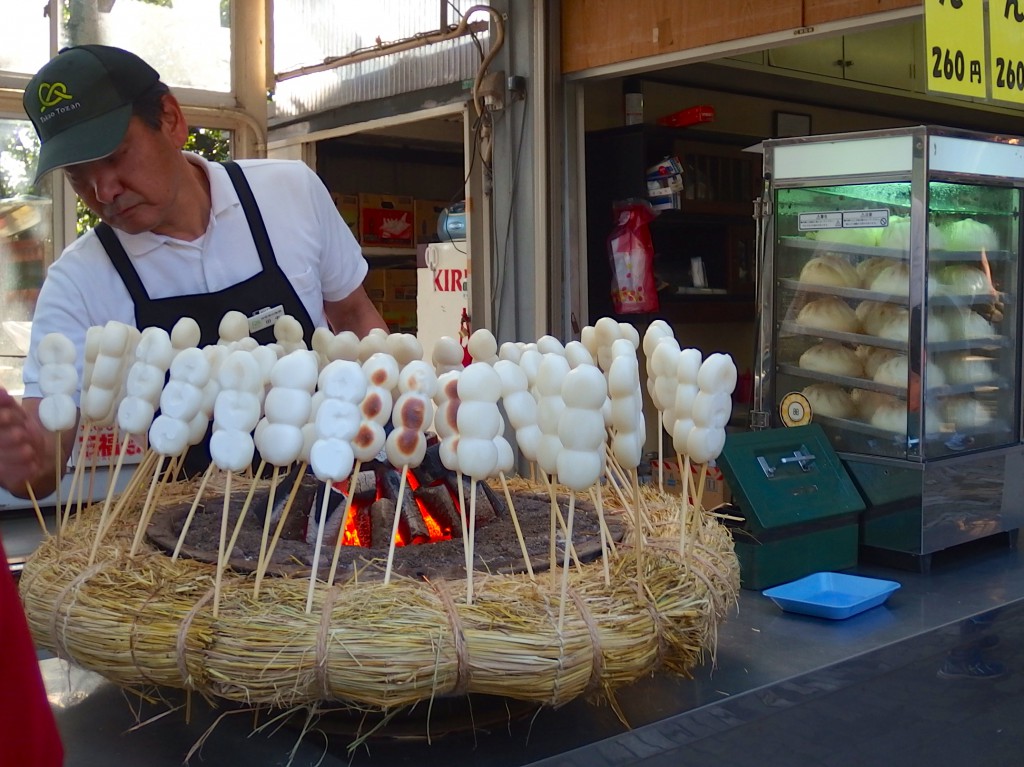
137	188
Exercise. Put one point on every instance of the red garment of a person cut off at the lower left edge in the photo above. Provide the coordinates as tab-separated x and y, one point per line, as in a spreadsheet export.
28	734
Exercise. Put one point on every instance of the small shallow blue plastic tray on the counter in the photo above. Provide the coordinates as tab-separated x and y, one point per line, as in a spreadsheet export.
834	595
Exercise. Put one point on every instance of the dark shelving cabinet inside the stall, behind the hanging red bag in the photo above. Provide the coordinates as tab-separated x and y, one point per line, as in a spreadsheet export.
714	222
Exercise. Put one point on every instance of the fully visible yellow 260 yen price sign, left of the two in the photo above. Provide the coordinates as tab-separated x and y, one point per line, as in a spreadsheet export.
955	37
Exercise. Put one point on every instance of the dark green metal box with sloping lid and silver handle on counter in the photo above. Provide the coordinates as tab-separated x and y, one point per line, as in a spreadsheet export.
799	504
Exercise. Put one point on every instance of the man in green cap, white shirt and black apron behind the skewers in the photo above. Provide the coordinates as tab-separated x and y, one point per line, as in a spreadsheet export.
181	236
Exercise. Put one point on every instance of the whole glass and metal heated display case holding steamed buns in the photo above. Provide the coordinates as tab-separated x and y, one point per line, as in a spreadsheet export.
889	279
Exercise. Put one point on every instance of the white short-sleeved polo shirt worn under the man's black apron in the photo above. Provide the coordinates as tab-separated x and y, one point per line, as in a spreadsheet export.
314	247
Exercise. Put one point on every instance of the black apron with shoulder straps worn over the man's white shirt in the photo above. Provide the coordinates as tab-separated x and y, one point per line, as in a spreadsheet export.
267	290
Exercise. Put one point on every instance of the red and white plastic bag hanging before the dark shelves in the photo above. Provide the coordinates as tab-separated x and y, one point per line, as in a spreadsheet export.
632	255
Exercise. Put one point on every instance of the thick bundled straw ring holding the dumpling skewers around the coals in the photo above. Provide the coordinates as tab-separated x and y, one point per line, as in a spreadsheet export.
149	621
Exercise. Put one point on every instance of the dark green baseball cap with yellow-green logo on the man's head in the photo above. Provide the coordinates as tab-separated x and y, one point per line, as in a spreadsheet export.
81	103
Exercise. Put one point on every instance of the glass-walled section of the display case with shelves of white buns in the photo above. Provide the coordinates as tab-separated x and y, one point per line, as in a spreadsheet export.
898	356
